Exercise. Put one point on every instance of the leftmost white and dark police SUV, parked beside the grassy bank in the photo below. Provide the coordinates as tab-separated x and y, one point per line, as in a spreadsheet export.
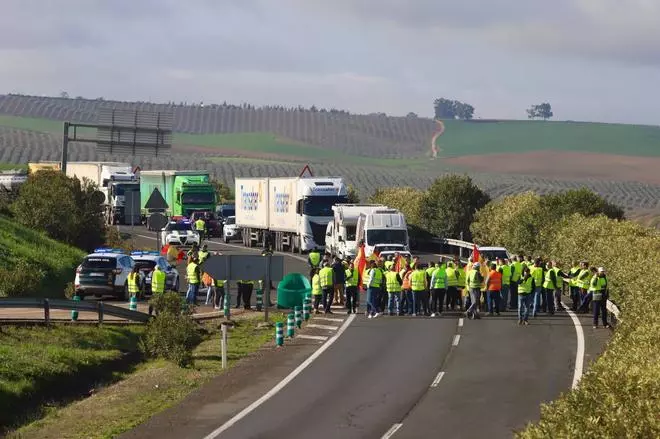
104	272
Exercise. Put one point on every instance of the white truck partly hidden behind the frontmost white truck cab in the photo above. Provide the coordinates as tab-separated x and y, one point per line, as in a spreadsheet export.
341	233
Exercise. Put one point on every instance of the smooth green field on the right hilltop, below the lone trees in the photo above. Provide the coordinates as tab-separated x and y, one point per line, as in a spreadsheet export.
475	137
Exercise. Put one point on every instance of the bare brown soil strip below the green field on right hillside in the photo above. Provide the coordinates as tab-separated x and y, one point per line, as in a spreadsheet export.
565	165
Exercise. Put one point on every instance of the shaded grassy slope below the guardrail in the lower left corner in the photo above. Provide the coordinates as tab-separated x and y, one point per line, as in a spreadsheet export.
38	365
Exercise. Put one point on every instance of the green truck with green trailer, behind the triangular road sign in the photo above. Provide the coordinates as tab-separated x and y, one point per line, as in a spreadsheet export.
183	191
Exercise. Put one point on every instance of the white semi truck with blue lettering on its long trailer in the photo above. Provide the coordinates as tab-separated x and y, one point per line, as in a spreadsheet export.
289	213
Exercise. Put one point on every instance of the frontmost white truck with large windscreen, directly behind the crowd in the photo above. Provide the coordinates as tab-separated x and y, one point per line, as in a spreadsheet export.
383	231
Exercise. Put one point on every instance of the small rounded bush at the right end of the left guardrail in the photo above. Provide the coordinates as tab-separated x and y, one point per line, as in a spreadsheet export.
172	334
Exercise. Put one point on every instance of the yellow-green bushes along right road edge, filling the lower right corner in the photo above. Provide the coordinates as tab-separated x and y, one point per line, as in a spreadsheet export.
619	395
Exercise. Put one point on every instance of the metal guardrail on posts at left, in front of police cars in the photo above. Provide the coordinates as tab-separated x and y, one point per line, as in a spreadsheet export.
99	307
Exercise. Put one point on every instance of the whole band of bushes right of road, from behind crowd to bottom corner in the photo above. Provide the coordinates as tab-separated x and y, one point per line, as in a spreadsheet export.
618	396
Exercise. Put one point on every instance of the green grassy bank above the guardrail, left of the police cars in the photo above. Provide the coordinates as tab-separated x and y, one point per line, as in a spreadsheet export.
58	261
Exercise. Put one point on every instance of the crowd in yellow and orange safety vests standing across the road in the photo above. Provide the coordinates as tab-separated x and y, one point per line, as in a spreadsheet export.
399	286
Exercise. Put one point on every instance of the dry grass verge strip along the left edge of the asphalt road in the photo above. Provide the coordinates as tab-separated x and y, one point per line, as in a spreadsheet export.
153	387
